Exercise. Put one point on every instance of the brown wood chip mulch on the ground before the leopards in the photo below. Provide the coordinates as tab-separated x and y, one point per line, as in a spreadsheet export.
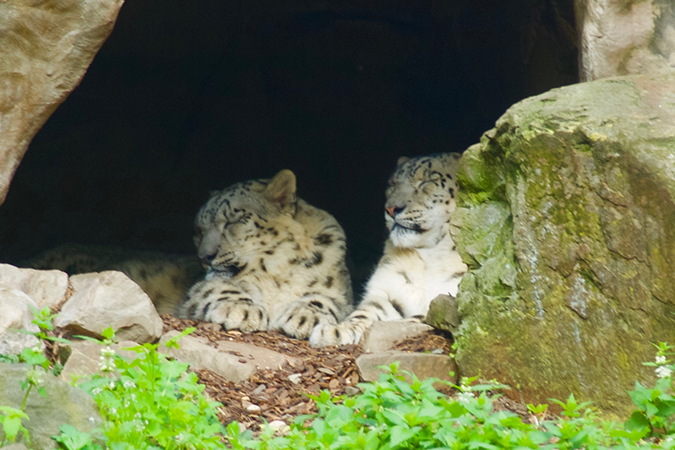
282	394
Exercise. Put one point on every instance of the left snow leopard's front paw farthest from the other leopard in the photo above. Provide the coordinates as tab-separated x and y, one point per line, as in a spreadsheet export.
224	302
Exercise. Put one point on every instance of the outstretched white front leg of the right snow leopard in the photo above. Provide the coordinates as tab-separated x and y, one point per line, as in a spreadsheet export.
377	305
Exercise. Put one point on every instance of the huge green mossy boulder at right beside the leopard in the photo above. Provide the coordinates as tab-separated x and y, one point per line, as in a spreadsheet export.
566	224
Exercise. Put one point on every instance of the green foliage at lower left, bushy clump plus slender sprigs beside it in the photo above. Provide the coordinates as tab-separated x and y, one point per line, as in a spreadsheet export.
151	402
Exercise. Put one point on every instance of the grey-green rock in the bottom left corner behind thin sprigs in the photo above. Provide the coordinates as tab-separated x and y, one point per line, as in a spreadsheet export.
63	404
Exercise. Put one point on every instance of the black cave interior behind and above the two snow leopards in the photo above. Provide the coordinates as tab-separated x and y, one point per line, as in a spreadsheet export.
188	97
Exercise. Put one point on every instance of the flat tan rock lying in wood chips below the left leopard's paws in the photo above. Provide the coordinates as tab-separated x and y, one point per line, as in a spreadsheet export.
234	361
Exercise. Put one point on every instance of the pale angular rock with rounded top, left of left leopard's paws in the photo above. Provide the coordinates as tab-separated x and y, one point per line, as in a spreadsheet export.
110	298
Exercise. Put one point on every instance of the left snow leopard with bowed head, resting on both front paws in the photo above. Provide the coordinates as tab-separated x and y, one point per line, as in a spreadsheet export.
273	261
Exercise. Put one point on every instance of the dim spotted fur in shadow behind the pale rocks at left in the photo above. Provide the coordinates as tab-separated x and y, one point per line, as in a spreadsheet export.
166	278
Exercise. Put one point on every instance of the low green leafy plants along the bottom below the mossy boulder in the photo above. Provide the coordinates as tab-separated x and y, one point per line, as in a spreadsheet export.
394	414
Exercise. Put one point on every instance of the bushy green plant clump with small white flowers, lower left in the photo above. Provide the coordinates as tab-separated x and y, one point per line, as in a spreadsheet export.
152	402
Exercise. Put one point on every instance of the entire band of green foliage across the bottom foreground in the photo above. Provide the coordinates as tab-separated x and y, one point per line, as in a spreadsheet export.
152	402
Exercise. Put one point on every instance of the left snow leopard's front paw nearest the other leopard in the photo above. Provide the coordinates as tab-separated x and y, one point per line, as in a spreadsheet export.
302	316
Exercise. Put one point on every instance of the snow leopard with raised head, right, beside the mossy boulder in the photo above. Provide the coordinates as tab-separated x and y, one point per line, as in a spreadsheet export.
420	260
